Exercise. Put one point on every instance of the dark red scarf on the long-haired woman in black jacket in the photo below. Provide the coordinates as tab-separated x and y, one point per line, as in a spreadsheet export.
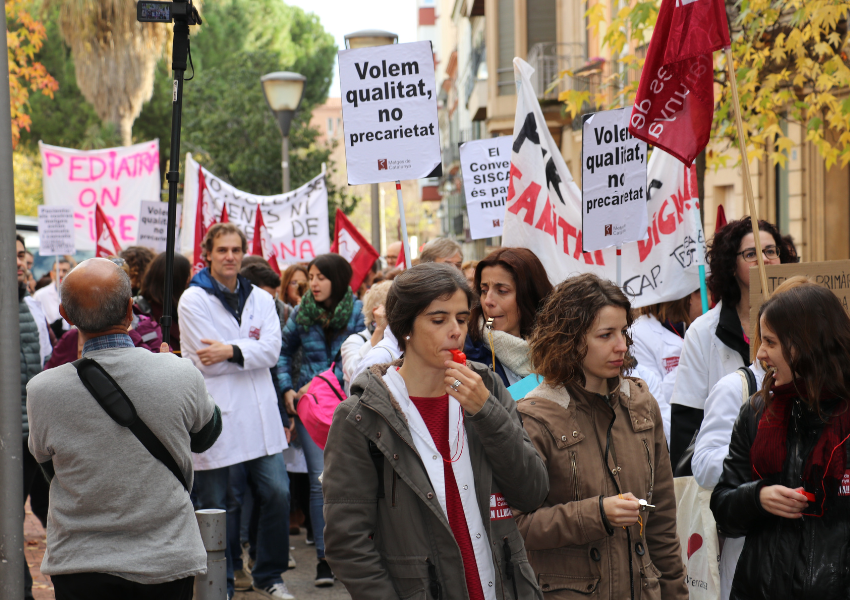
826	464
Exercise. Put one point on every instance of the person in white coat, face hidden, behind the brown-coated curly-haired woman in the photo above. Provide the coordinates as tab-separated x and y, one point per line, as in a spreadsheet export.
658	333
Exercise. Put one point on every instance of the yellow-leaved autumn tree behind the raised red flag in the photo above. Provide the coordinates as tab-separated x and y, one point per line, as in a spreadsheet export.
791	60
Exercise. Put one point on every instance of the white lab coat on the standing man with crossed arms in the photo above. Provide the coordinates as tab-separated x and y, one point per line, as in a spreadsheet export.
251	425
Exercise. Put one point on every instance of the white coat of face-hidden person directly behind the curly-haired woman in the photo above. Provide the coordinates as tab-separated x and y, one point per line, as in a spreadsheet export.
658	349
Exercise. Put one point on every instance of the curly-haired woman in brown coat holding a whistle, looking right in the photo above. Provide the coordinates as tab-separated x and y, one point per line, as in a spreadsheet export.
608	526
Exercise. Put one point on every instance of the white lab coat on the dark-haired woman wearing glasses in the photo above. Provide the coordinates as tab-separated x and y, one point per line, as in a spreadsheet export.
704	361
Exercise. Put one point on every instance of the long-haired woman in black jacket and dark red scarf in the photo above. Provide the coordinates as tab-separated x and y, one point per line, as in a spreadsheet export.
786	481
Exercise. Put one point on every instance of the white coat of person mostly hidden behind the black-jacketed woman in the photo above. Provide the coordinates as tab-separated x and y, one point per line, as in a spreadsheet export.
712	446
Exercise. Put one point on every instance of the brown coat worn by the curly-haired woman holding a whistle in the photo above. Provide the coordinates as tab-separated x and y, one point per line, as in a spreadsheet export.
569	547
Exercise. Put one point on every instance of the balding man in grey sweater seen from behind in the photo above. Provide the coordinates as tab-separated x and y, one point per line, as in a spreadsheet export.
121	524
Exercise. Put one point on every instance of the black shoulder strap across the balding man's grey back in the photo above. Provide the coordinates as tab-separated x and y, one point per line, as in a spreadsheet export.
117	405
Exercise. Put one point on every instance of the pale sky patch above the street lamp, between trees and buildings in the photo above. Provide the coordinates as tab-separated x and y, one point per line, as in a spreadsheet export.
340	17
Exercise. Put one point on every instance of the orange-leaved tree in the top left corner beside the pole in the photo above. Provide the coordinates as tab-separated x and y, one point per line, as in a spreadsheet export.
24	37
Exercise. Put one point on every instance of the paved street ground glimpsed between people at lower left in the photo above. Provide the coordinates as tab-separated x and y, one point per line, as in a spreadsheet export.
299	580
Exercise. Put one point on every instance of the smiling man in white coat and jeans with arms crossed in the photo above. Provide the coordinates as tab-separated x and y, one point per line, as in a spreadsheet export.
230	330
